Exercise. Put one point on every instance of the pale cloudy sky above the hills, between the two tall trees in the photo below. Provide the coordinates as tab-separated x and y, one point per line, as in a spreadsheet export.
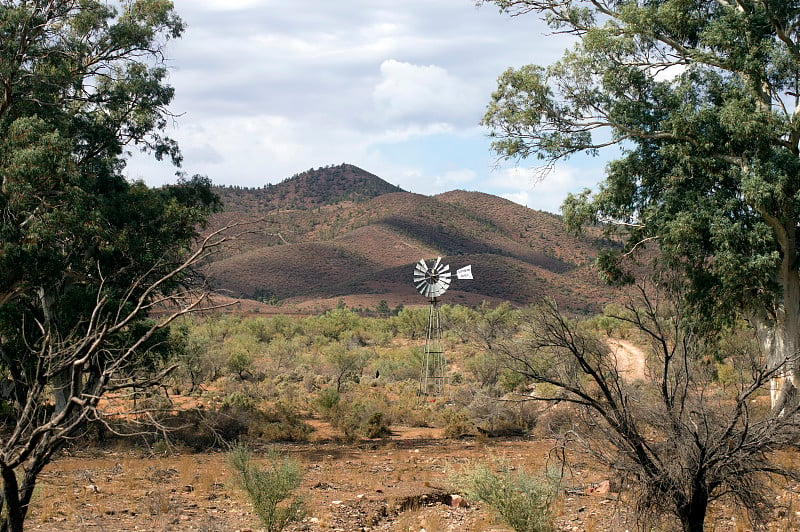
266	89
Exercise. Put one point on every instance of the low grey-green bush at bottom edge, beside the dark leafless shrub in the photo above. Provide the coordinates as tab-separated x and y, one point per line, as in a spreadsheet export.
522	500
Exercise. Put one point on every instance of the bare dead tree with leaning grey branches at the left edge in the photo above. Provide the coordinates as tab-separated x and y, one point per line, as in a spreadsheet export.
59	384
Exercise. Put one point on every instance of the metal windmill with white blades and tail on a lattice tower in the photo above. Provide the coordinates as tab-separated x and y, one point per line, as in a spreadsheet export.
432	282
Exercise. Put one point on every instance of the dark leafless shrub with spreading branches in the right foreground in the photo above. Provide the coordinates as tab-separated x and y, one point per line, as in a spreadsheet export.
678	437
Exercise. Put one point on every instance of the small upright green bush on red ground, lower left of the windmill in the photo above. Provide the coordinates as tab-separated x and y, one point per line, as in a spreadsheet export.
271	489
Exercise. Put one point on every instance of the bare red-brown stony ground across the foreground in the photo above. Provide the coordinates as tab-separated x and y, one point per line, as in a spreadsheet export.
403	483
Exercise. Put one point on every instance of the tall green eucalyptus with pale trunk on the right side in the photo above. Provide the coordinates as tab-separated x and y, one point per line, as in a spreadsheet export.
701	97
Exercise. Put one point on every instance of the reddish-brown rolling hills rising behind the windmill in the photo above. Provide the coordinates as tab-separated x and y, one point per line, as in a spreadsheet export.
340	233
